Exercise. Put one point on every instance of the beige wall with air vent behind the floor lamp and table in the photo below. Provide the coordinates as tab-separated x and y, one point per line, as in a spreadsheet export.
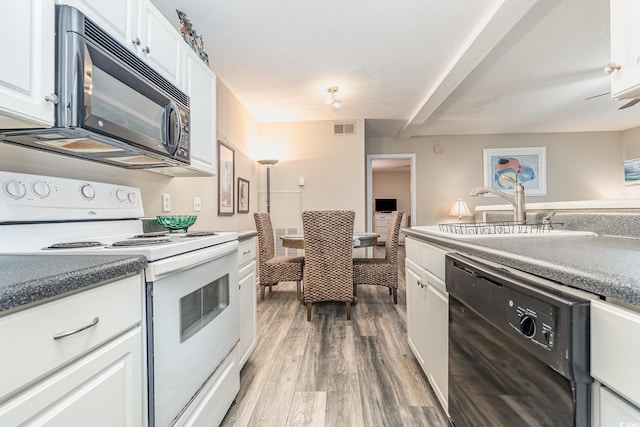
333	167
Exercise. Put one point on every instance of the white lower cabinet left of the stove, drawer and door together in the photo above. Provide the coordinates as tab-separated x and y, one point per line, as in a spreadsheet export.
93	376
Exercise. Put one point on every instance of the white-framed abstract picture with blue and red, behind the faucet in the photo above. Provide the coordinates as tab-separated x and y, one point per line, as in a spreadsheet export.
527	165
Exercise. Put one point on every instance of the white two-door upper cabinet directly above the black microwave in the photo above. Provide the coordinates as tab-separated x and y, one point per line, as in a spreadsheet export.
139	26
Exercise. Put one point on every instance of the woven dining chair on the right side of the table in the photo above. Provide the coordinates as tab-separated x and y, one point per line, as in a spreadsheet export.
381	271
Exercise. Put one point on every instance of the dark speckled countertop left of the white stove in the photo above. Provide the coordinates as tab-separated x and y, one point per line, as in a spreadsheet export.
27	280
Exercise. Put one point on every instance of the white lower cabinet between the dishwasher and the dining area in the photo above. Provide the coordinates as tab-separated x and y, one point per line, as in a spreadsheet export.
428	313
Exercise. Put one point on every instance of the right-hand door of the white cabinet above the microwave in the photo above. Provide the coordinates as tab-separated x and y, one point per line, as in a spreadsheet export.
162	46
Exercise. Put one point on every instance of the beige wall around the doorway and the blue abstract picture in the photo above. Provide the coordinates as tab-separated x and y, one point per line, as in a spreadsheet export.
580	166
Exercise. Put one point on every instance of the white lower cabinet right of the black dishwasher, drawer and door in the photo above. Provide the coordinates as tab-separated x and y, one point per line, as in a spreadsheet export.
614	364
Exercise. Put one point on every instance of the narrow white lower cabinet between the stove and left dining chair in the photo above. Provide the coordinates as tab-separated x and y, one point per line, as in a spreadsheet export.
247	283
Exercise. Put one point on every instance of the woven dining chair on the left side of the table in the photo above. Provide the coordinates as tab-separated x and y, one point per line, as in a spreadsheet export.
273	269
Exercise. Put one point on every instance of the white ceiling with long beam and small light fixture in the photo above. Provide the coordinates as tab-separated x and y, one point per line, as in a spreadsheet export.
416	67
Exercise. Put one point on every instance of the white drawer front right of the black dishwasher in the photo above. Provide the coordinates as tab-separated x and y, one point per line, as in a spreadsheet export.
615	348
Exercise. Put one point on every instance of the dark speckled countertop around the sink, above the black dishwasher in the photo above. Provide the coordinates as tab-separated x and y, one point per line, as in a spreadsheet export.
605	265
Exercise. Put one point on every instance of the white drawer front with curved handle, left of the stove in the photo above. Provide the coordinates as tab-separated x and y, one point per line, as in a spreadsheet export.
30	350
